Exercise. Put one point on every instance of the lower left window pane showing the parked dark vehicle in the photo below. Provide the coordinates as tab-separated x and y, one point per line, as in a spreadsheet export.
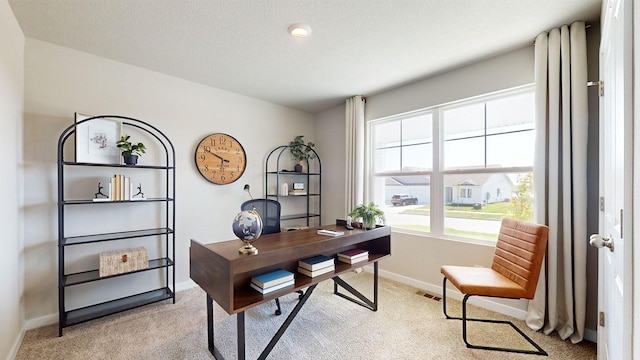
406	201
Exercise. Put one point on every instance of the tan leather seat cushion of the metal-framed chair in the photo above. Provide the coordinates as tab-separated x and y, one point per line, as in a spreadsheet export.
482	281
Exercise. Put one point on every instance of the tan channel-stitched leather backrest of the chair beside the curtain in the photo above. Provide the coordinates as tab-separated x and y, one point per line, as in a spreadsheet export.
519	253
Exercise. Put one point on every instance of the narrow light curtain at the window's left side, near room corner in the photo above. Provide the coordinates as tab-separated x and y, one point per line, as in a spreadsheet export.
355	181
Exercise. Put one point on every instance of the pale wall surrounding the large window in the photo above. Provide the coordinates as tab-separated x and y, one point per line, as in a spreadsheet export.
416	260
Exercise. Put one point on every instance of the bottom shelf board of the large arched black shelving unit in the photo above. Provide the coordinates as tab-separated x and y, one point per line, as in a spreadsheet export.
111	307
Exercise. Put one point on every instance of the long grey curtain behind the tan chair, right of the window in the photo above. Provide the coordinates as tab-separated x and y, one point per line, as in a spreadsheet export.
560	173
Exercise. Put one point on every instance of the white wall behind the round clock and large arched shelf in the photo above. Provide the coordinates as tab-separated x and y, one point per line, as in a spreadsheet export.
60	81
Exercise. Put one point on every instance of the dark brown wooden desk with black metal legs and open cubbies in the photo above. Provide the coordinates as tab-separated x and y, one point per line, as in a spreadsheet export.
225	274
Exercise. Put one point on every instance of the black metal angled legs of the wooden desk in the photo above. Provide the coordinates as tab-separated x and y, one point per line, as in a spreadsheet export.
371	305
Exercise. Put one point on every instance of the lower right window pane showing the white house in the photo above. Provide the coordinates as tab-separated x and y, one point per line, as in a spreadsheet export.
476	203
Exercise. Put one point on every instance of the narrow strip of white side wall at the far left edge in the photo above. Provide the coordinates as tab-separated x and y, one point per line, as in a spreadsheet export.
11	99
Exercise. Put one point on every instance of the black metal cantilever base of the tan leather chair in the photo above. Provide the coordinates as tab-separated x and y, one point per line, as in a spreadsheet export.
464	319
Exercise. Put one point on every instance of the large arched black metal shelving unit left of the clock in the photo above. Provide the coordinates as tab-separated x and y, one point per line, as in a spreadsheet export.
166	232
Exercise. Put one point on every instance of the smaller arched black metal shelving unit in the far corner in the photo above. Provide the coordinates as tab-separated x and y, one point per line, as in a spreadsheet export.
276	175
